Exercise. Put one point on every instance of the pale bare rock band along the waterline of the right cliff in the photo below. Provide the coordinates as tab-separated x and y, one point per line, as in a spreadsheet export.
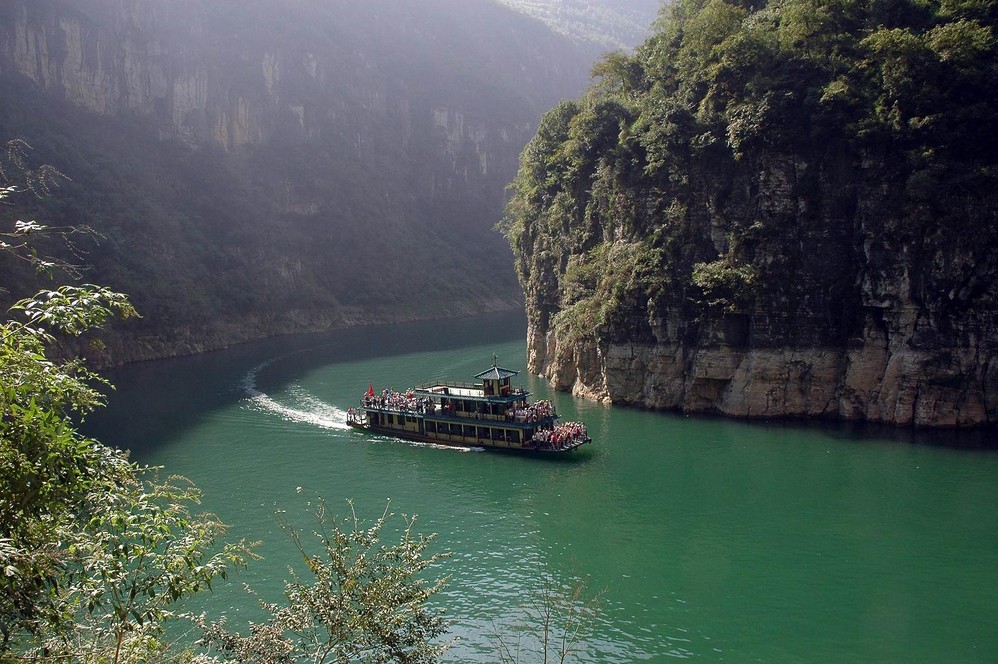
884	379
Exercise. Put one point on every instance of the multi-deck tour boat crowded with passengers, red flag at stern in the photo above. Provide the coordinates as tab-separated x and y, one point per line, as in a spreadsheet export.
490	414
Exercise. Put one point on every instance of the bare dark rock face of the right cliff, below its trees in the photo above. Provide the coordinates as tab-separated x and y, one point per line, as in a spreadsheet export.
858	318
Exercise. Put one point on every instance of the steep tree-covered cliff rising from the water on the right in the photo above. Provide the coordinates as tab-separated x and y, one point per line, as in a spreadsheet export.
775	209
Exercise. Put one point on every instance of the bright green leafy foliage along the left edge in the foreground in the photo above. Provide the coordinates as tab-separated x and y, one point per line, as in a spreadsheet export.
94	552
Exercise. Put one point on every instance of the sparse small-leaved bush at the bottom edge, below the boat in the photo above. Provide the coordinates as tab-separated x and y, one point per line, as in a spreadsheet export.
359	600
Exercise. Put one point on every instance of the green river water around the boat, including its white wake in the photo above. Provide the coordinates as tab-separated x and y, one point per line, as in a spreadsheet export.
709	539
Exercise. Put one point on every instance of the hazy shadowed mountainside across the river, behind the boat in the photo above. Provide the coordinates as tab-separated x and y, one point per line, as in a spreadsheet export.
263	167
